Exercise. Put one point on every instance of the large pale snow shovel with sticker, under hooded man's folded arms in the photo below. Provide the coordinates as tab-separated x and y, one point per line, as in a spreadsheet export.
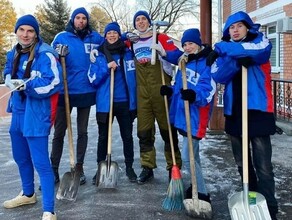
247	205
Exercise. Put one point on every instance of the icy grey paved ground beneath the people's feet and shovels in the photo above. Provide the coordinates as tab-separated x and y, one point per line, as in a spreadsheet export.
131	201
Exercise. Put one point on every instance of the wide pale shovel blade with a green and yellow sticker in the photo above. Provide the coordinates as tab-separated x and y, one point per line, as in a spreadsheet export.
258	208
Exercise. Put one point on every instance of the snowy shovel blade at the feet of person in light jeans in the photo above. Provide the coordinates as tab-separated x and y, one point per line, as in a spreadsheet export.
198	208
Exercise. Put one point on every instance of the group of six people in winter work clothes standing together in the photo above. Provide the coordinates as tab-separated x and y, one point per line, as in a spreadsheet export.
33	72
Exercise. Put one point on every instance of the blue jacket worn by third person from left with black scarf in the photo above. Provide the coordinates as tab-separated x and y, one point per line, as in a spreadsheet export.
99	76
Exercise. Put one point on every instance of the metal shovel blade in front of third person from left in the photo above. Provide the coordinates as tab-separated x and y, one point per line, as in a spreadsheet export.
107	175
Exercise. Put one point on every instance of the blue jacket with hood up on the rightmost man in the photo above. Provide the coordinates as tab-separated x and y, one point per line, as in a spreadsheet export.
259	78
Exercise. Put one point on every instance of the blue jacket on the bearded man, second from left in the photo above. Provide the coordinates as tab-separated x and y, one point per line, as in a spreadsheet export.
77	61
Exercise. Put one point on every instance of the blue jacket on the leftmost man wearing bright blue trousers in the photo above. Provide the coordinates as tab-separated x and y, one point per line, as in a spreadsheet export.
41	93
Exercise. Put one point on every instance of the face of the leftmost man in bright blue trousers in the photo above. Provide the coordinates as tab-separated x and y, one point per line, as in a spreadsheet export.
26	35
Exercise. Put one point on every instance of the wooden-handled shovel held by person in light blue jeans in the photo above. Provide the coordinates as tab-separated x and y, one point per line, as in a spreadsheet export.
194	207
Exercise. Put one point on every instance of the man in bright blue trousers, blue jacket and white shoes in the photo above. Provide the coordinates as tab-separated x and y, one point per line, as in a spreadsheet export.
33	72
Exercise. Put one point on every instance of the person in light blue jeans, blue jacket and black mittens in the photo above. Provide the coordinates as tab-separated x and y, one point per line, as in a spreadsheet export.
200	92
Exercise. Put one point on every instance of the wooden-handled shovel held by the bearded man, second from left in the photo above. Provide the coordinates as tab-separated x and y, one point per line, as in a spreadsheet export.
70	181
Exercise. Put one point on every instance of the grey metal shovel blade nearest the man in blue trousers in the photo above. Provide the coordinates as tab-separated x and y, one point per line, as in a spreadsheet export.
69	185
